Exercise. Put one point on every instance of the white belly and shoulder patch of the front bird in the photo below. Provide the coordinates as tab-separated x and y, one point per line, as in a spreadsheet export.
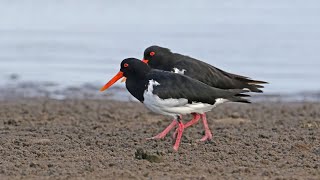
174	107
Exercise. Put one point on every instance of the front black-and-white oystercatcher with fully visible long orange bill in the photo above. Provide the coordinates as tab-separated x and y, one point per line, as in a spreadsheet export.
172	94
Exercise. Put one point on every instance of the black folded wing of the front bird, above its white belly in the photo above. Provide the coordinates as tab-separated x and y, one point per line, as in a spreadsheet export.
177	86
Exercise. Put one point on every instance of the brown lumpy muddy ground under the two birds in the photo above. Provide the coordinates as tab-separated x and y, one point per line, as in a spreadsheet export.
92	139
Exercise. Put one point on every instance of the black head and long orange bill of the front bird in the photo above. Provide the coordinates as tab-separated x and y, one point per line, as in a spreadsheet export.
129	68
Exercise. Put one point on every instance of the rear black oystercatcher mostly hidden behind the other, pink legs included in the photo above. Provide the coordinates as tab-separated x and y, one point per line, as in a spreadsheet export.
162	58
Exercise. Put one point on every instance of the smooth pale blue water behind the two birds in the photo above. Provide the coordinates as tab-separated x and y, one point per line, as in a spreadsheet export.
71	43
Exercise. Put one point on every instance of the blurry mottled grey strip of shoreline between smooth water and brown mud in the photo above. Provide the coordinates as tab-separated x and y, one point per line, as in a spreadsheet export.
18	90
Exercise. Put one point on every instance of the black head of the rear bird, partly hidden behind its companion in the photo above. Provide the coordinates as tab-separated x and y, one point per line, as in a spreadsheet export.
156	56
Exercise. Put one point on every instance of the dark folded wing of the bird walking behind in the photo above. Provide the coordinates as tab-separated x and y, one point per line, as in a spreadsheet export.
213	76
